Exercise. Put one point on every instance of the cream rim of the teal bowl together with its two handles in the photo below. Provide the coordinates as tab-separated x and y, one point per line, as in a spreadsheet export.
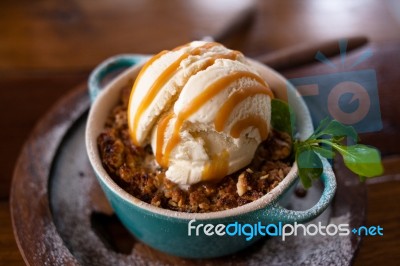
268	202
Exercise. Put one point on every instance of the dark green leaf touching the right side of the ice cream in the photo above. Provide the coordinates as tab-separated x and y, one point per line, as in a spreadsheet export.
282	118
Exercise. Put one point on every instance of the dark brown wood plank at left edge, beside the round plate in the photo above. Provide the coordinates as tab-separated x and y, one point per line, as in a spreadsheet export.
25	97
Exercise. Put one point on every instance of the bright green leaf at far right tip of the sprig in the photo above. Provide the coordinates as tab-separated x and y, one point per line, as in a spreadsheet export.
362	160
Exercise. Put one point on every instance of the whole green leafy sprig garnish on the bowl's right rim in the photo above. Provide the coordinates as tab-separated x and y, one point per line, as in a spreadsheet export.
327	141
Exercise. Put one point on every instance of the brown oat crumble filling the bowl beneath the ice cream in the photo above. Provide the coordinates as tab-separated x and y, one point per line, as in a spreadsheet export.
134	169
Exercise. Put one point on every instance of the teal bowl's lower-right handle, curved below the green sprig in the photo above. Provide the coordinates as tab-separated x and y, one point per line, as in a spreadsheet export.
279	214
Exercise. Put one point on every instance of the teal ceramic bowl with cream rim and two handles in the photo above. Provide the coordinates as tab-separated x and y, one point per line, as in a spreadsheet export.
167	230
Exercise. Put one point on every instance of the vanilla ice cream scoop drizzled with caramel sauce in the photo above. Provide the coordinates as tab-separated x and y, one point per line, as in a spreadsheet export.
203	109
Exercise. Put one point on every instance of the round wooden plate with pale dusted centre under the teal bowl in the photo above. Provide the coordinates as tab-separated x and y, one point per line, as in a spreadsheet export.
61	217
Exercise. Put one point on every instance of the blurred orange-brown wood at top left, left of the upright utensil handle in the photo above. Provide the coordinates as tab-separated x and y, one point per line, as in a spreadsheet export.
78	35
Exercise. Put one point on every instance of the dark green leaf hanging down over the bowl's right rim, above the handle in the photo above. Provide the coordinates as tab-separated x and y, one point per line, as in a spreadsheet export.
310	166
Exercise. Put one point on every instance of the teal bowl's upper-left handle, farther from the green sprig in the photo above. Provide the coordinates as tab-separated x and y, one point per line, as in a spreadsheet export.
107	67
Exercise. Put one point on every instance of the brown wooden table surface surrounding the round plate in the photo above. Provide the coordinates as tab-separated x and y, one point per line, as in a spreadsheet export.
49	47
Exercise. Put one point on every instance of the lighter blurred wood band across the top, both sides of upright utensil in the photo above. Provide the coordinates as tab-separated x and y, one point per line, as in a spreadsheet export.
77	34
